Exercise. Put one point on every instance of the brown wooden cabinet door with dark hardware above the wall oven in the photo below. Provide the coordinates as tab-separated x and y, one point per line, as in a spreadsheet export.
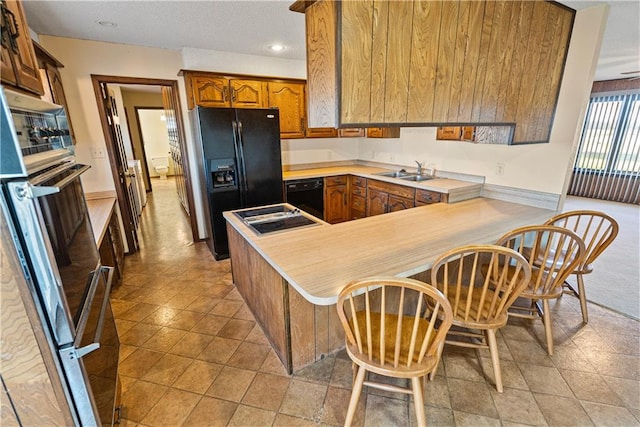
25	68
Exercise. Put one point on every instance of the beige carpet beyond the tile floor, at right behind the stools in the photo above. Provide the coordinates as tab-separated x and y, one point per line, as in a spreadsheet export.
615	281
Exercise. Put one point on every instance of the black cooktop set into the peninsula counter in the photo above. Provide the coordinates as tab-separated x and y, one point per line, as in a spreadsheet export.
274	218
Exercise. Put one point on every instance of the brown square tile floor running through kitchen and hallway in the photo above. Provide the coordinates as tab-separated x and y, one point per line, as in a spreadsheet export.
193	355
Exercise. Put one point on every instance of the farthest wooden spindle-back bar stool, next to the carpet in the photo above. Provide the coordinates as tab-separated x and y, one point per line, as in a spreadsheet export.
597	230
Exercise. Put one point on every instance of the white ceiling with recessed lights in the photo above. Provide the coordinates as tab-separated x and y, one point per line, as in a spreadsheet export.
250	26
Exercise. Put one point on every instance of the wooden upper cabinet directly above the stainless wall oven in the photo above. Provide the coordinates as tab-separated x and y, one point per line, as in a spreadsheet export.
19	67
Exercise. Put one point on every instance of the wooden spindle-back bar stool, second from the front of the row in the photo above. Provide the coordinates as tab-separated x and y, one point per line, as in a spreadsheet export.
480	303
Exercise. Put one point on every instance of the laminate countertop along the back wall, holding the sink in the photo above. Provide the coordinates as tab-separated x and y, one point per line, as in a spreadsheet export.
456	189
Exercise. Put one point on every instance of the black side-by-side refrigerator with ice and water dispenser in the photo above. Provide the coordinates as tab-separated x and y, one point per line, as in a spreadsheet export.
242	164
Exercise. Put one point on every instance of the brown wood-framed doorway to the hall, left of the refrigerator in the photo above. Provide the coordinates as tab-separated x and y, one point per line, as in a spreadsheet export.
121	149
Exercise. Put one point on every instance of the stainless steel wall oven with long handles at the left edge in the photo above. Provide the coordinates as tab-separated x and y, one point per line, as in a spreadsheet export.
43	200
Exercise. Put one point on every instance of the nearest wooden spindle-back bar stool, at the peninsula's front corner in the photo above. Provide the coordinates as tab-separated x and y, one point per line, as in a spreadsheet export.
394	327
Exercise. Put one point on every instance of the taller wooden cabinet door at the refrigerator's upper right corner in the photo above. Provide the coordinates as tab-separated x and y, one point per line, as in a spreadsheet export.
288	97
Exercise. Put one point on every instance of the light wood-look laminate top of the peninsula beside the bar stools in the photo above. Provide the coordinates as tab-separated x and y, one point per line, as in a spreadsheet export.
319	260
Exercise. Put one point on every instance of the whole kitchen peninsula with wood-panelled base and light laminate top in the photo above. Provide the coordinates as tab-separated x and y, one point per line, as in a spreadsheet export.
291	279
